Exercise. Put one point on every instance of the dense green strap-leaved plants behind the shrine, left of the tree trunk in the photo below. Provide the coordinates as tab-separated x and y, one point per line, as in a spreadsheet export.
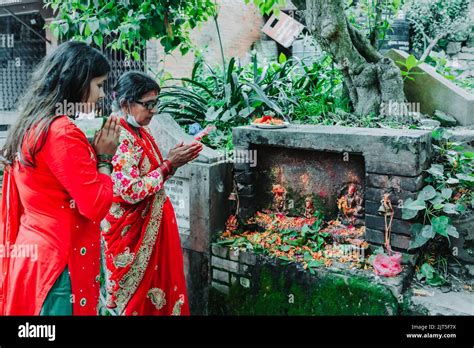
230	97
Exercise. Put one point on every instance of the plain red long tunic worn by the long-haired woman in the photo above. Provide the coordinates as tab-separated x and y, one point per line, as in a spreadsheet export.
53	211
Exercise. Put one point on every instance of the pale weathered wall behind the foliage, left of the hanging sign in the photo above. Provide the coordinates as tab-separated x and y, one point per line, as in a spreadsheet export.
240	27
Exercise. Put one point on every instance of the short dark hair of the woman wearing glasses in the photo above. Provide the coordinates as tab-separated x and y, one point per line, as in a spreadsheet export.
131	86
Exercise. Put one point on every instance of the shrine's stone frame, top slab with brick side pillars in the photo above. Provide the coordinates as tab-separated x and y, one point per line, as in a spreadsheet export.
394	162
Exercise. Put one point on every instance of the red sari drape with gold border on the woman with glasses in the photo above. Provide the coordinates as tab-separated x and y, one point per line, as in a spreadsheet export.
142	247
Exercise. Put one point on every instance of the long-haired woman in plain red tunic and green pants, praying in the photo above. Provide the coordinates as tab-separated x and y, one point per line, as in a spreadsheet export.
57	188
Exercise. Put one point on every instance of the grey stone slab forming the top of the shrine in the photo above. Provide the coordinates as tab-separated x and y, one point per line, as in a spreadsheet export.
386	151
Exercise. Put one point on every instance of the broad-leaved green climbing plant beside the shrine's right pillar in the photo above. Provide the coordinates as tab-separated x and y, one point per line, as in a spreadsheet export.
449	193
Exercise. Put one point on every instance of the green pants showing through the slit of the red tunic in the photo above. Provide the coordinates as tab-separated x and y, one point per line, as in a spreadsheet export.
58	301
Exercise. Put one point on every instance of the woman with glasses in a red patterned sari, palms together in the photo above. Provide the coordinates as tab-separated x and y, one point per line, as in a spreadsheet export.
143	256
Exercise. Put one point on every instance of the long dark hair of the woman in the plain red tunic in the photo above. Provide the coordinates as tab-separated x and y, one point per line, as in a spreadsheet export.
62	78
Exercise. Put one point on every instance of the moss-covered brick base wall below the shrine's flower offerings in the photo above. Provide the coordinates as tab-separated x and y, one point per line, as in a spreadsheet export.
245	283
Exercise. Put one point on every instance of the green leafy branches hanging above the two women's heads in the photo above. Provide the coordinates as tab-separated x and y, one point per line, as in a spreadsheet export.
130	24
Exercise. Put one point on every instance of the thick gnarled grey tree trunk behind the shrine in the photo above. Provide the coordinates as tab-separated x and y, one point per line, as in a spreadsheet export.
370	78
